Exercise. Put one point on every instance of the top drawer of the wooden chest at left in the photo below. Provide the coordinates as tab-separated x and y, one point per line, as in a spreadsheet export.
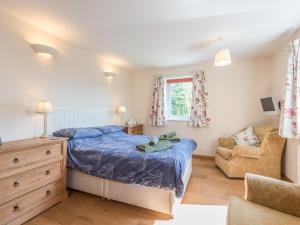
16	159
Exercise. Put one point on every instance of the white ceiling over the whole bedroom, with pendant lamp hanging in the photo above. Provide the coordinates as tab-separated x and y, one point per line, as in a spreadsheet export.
163	33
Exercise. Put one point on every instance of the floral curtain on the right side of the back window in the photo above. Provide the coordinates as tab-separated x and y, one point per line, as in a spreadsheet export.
199	104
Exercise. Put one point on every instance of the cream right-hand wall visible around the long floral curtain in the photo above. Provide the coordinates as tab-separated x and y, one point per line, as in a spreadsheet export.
292	151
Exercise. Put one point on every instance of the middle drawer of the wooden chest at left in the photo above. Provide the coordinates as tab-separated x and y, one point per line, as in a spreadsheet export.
16	185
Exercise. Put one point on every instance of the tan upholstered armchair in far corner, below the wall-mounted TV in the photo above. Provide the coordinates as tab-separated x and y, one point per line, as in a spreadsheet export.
265	159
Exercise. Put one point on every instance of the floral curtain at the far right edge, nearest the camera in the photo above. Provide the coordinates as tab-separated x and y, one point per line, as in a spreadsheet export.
290	113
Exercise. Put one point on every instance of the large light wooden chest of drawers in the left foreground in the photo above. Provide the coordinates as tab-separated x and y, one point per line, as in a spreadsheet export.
32	177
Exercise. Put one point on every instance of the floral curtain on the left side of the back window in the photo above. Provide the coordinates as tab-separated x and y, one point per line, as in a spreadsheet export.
157	115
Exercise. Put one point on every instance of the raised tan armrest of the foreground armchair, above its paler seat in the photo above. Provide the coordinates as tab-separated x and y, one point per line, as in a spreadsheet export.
276	194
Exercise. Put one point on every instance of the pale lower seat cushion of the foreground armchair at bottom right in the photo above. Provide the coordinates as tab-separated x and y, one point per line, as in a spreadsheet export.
242	212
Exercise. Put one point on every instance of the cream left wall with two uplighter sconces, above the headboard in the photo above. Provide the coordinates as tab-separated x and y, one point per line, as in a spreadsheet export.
73	80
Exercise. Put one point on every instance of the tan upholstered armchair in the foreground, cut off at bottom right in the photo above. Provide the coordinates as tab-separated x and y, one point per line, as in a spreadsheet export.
267	202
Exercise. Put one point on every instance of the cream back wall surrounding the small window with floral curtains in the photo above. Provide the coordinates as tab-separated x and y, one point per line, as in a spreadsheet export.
233	100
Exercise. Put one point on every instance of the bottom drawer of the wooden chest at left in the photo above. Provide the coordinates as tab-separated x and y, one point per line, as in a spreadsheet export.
26	202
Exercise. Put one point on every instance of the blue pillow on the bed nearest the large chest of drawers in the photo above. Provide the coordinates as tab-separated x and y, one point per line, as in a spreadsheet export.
78	133
